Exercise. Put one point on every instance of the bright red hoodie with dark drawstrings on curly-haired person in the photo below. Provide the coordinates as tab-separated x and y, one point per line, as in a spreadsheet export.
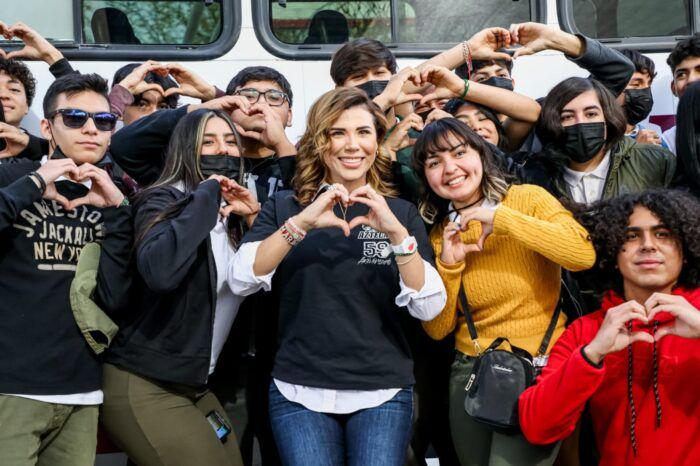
550	409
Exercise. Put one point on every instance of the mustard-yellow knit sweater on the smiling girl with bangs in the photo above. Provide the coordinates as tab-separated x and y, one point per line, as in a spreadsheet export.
513	284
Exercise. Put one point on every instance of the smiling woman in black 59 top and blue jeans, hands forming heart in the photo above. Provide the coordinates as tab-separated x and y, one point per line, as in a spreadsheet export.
341	389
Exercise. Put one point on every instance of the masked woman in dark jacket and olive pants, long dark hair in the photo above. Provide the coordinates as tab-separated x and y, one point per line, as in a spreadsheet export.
157	405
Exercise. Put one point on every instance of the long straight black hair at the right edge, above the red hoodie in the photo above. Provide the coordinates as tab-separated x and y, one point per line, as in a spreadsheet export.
688	141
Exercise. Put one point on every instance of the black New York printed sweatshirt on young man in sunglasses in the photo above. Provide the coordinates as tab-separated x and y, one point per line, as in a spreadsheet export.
42	351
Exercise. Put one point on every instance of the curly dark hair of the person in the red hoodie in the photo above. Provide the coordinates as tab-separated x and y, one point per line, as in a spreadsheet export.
607	220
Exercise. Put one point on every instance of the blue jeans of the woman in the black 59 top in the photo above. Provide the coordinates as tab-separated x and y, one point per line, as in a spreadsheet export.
370	437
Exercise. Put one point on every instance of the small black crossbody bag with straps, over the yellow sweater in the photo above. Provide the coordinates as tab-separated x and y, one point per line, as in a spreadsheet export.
499	376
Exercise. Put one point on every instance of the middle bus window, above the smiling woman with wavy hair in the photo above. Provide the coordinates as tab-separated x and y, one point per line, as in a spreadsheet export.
403	23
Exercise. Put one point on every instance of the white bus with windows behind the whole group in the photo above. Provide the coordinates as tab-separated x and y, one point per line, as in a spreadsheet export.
217	38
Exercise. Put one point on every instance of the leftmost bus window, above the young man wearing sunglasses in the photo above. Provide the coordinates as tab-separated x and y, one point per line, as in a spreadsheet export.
131	29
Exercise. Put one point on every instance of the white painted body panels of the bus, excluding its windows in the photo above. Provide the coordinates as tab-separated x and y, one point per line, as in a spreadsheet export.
534	75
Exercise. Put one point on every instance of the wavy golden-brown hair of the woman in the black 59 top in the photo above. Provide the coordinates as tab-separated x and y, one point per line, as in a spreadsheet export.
311	171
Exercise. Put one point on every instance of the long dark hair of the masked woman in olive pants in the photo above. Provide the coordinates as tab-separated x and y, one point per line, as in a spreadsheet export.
182	168
